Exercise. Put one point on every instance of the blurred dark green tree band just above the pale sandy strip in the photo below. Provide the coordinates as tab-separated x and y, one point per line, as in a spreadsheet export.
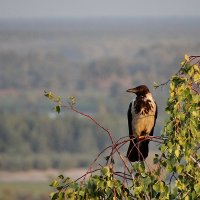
47	141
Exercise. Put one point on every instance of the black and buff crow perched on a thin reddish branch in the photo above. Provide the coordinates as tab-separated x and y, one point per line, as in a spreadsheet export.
142	115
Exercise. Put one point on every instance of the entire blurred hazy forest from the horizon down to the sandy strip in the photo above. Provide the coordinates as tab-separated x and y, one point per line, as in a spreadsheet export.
94	60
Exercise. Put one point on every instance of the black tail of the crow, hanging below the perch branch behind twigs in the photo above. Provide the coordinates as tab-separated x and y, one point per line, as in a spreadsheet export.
138	151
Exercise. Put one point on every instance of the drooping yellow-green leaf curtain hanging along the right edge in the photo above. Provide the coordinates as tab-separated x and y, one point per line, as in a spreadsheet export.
181	150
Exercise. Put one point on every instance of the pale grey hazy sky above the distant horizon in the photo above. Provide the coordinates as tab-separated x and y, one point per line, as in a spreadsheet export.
97	8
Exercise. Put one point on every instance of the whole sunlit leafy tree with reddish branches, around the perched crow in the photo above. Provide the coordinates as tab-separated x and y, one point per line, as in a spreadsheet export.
176	172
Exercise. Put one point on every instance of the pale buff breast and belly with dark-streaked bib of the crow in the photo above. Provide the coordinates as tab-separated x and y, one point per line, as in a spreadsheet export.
143	115
